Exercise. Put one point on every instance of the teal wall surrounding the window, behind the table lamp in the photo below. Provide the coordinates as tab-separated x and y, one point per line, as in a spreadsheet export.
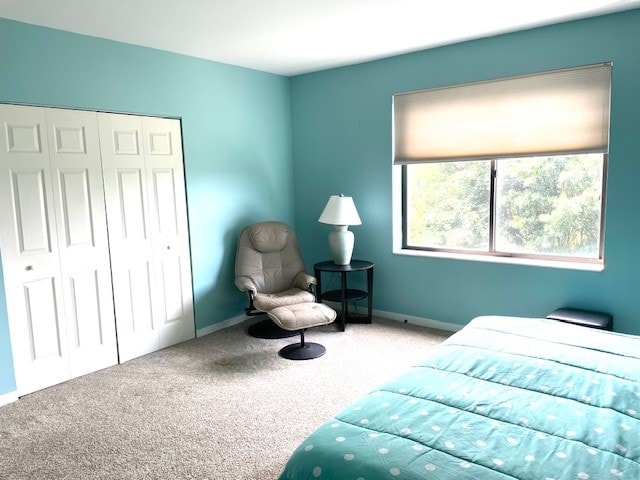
342	144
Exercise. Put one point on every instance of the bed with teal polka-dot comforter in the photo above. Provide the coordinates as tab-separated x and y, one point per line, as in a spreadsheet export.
503	398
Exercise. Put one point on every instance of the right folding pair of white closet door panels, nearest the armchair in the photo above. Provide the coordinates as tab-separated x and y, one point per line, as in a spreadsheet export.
146	209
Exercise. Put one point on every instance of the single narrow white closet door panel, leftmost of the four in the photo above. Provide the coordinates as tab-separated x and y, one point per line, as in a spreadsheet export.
30	251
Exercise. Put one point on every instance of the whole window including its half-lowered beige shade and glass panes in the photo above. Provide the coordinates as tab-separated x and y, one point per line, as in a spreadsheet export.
513	167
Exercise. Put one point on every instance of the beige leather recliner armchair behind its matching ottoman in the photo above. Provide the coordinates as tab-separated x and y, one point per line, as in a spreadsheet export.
269	267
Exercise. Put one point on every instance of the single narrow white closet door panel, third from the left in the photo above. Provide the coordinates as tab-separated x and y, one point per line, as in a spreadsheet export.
132	266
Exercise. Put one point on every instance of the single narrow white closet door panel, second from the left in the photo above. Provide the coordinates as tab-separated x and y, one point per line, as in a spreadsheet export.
82	239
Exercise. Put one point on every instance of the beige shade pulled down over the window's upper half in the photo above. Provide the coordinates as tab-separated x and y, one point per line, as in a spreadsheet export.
551	113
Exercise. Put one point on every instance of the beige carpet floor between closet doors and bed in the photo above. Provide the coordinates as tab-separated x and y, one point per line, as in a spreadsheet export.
224	406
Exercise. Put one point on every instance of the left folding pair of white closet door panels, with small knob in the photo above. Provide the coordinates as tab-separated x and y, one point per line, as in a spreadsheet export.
54	245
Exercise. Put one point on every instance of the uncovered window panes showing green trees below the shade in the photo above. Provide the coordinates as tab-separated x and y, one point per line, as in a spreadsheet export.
550	206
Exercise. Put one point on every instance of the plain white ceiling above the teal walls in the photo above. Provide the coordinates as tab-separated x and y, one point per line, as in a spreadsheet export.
290	37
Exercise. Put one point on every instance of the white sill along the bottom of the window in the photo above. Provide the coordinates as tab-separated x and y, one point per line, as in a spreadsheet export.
534	262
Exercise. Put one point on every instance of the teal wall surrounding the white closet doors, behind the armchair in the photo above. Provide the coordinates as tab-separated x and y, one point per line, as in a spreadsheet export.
236	129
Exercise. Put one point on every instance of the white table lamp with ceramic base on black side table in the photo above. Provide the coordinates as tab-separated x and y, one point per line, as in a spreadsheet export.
340	212
